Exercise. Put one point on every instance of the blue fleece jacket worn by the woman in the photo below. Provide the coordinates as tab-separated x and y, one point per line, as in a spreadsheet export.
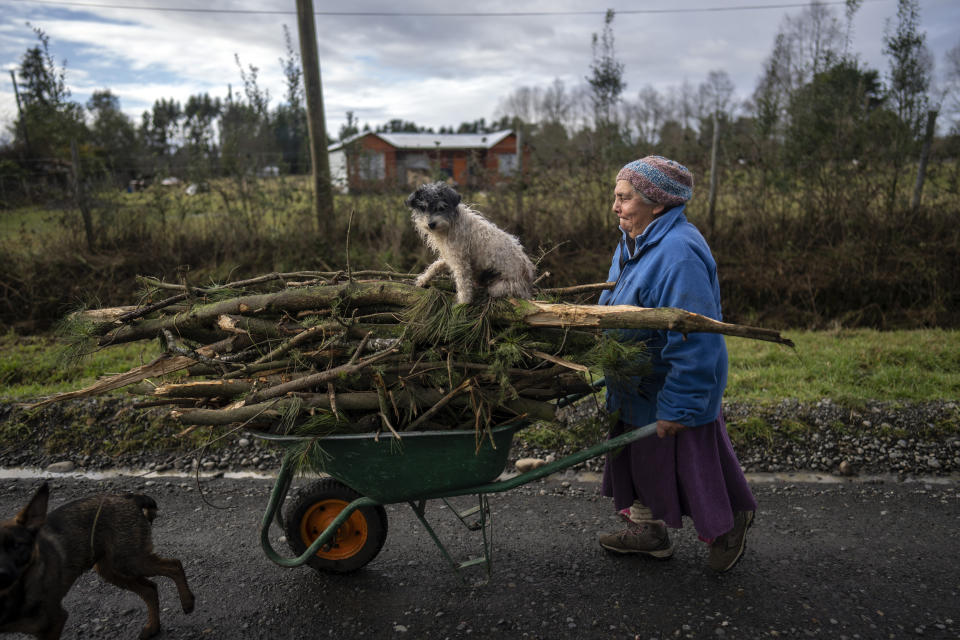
669	266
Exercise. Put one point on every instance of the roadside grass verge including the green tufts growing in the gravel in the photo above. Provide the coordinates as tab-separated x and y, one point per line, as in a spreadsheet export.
849	367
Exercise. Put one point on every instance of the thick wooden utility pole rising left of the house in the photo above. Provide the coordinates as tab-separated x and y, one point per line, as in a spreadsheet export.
315	119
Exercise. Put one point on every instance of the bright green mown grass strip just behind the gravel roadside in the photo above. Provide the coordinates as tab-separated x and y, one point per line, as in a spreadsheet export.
846	366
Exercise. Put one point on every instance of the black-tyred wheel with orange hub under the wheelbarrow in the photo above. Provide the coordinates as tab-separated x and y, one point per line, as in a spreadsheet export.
356	542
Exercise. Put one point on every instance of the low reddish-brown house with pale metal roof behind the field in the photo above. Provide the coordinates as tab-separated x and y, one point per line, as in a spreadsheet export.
371	160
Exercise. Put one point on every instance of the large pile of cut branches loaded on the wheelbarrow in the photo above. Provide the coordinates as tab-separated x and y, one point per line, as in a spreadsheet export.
329	352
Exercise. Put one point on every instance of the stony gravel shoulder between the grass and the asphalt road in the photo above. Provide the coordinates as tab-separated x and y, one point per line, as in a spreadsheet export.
876	439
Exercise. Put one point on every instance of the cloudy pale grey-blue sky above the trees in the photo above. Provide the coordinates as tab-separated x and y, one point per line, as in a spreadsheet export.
435	70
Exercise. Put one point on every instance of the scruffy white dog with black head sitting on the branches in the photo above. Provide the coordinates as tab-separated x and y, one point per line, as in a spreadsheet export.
477	252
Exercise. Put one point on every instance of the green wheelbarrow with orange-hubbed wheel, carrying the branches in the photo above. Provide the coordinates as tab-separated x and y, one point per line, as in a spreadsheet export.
338	523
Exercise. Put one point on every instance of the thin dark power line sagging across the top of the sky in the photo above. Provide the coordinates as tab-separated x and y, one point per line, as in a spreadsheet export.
441	14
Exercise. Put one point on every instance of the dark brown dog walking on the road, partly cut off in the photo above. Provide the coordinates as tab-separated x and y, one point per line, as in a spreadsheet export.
42	555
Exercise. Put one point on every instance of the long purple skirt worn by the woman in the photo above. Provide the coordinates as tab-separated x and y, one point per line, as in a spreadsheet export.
695	473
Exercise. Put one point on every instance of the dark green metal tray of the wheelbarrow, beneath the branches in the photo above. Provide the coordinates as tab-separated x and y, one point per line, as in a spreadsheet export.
420	464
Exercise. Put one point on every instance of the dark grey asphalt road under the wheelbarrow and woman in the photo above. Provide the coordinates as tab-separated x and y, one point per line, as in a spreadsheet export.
834	561
